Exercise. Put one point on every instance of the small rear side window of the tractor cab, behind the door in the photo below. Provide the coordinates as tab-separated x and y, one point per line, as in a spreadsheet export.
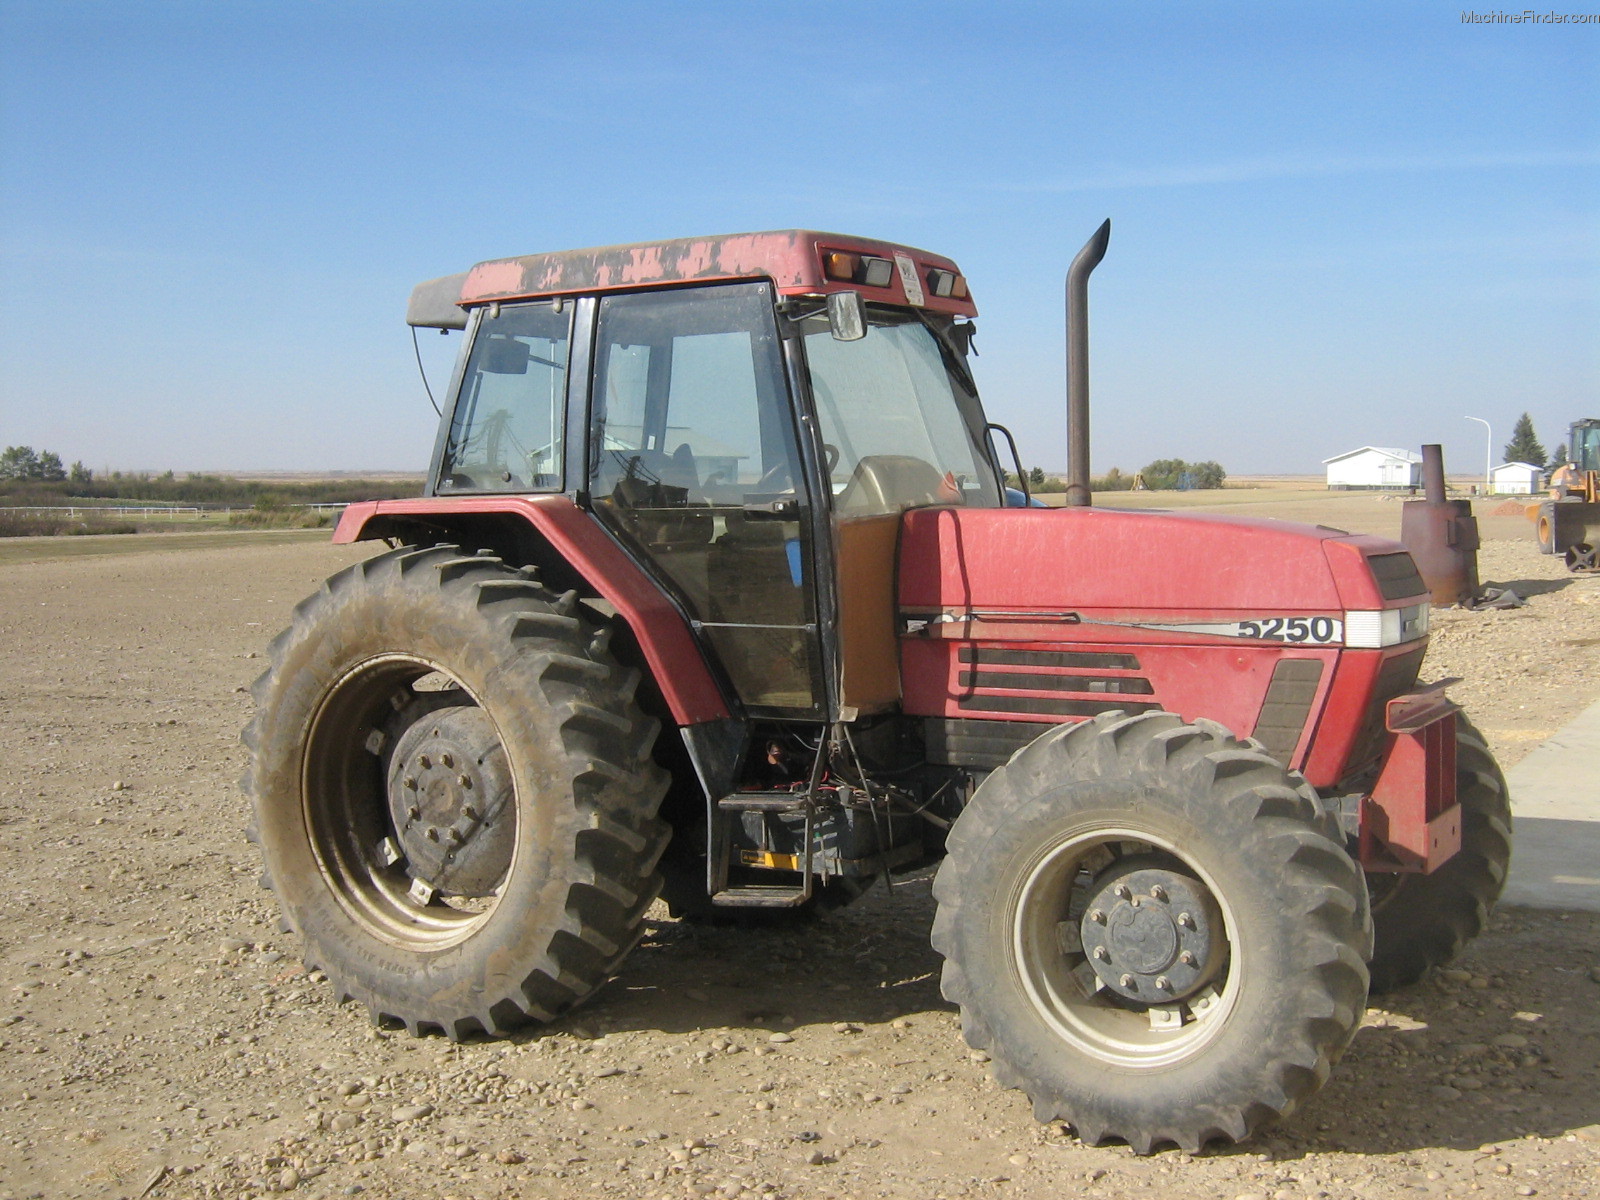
506	431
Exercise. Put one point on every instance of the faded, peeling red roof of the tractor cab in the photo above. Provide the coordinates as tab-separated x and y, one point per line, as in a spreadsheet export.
794	260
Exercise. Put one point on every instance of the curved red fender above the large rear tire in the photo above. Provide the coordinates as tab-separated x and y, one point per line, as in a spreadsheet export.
572	551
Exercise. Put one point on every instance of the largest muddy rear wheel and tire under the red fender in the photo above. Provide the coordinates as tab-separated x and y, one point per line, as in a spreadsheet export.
454	793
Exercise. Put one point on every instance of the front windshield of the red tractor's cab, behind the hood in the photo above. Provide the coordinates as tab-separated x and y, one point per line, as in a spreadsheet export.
900	418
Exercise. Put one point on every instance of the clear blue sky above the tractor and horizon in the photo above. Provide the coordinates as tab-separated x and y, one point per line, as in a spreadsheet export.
1334	225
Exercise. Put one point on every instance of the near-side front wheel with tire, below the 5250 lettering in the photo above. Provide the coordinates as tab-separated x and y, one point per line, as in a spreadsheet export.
1154	930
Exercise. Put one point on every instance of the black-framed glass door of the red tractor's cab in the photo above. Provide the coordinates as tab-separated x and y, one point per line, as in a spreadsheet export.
694	465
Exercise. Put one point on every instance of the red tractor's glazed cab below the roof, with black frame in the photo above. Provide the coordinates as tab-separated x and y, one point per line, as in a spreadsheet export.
751	458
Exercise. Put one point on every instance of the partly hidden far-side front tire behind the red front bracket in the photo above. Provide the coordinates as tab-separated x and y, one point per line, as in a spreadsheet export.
1425	921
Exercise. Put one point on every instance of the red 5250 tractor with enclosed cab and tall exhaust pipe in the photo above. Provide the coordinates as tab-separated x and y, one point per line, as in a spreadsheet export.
718	593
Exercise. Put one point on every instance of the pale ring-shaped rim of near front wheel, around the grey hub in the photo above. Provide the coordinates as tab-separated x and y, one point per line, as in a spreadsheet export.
1058	978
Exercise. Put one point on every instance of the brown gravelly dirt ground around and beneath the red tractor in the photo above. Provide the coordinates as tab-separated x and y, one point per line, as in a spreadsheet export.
158	1036
